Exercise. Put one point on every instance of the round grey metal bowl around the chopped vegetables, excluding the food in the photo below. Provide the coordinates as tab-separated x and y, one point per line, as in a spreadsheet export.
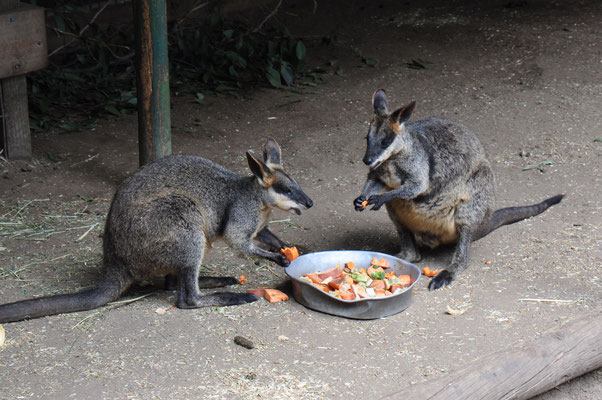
367	308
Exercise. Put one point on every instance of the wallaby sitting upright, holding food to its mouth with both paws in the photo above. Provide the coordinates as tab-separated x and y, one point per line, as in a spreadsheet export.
437	185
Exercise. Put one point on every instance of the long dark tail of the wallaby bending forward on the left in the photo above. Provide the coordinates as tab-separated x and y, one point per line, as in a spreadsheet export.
107	290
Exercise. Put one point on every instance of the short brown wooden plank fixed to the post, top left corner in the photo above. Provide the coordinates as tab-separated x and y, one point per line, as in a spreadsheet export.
22	41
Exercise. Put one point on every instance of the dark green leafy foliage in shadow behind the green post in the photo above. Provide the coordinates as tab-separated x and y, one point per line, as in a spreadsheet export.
92	74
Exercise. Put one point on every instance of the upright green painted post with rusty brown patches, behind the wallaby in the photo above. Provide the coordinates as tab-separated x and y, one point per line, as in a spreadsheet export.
152	80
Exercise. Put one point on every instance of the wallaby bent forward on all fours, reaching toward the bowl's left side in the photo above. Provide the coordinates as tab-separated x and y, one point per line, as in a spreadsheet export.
164	217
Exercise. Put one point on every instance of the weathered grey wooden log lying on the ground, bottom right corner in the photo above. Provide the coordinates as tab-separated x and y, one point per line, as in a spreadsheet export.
521	372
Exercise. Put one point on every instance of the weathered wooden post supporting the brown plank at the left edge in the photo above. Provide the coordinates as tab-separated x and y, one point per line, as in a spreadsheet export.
14	111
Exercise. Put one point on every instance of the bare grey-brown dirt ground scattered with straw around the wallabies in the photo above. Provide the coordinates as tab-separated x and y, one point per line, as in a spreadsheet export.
525	75
